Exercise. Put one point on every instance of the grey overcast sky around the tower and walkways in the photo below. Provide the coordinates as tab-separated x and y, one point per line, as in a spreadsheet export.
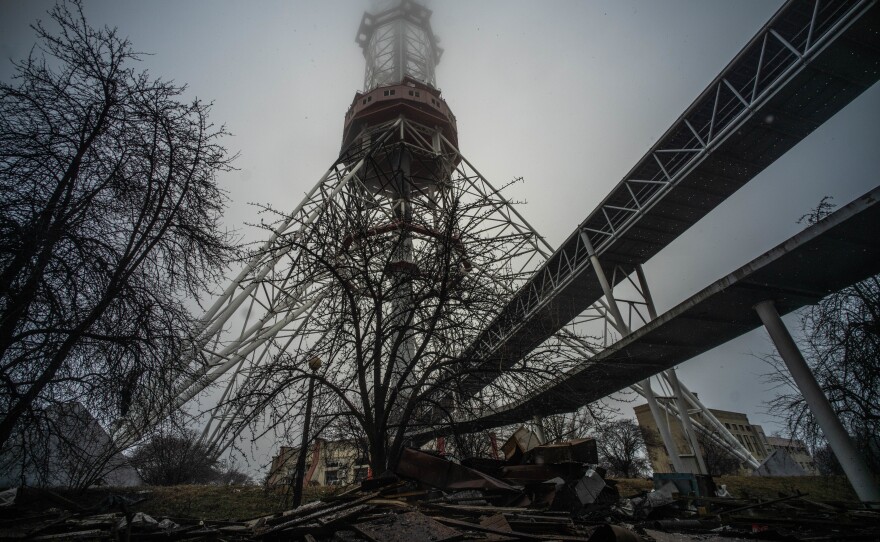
567	94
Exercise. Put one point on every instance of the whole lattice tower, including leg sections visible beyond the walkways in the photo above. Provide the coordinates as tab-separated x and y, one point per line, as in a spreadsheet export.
399	216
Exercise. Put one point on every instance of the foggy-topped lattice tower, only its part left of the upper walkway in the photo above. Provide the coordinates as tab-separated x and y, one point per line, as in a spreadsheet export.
400	225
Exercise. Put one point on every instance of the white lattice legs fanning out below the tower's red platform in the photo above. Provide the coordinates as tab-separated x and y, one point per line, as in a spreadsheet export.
269	306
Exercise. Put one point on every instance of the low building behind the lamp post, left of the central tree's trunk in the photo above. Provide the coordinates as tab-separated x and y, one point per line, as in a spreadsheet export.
329	462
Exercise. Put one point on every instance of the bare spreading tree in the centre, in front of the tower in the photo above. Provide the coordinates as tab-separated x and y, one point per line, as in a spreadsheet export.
405	271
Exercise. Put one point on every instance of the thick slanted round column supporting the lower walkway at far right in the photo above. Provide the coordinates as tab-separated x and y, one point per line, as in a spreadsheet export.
852	462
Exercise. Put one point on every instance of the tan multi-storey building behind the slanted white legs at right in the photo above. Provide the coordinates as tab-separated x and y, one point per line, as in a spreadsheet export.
749	435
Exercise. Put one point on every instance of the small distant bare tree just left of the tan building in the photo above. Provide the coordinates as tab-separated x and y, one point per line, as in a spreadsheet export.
621	447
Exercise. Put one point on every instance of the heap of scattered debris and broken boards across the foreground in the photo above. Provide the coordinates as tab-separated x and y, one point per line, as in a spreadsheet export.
535	493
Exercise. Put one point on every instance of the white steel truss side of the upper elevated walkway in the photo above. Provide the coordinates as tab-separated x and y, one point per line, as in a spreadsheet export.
783	48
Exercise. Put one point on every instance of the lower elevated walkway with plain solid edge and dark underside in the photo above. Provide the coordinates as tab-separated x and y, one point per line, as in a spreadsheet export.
826	257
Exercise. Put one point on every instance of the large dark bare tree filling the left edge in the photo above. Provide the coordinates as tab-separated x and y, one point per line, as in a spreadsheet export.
109	219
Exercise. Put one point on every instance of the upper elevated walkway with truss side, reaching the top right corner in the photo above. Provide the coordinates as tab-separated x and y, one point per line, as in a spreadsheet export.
699	181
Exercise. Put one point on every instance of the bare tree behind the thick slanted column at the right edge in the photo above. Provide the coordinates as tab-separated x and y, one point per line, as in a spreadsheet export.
840	340
